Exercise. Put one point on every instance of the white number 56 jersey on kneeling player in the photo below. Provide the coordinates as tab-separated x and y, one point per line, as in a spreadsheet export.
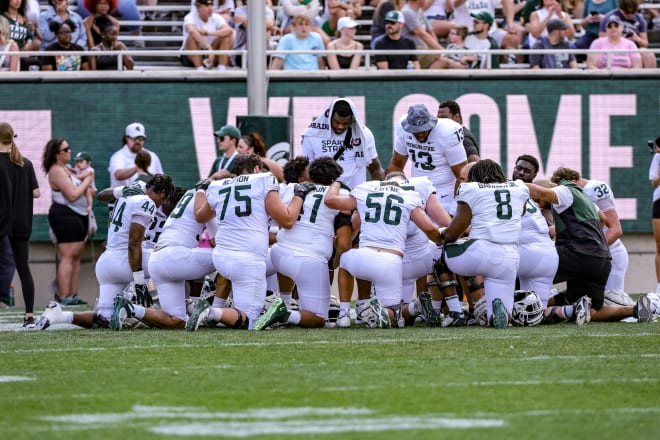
385	213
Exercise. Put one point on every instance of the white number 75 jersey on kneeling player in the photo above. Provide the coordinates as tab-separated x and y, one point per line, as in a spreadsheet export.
240	207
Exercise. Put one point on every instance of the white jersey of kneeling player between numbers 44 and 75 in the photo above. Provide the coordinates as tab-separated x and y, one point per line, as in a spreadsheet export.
181	228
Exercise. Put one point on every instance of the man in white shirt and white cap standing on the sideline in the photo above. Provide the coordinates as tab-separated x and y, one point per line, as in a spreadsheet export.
122	163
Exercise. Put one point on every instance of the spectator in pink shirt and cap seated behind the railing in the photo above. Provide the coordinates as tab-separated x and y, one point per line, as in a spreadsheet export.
614	40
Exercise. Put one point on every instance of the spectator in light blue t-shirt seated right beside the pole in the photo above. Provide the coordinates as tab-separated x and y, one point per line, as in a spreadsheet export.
302	38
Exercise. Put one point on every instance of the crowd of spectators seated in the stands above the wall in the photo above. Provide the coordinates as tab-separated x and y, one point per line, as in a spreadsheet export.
452	25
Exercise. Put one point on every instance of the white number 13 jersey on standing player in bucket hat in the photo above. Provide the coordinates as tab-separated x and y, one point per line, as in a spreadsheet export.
434	158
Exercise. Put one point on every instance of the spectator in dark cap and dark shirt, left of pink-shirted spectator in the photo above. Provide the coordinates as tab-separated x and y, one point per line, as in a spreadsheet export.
556	39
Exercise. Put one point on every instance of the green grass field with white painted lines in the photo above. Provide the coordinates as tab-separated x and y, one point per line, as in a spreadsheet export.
552	382
